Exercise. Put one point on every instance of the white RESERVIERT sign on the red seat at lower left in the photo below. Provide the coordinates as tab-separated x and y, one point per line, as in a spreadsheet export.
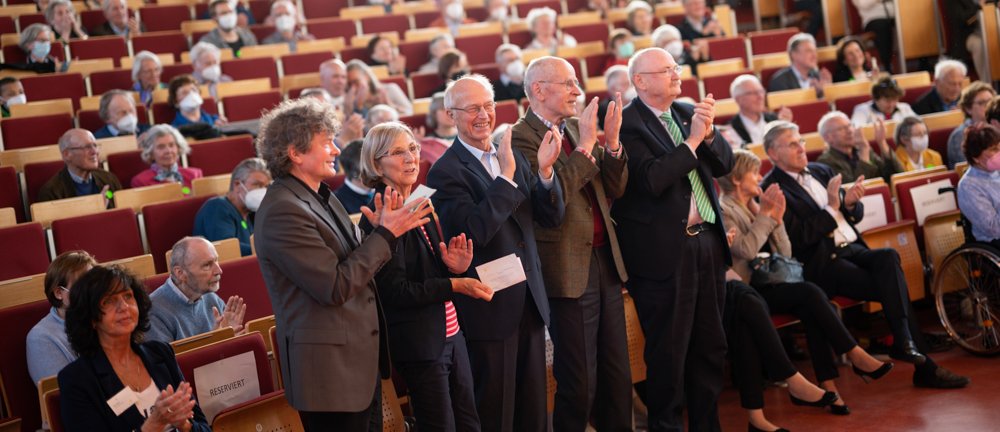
227	382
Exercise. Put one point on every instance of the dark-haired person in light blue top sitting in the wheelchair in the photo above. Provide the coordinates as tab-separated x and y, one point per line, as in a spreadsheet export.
979	188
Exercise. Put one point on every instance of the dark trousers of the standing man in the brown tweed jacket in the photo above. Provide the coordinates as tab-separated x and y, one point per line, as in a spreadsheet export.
591	353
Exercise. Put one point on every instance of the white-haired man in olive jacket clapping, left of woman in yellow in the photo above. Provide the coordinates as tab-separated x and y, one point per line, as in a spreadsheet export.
850	155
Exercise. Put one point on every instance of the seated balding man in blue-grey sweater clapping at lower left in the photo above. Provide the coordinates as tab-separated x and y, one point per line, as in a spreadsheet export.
186	304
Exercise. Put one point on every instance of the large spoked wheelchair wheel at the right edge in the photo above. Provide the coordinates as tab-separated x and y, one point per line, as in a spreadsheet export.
967	294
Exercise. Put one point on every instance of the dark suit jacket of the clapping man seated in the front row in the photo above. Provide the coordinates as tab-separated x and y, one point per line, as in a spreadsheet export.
808	225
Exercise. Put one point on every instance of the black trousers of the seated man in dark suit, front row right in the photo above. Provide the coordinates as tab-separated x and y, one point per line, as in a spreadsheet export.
824	329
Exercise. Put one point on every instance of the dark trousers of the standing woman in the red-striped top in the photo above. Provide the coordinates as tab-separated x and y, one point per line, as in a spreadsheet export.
441	390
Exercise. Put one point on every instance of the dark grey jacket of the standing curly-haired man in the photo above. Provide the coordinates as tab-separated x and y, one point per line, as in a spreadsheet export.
321	283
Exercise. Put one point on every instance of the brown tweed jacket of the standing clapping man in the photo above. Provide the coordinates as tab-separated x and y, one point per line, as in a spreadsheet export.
565	251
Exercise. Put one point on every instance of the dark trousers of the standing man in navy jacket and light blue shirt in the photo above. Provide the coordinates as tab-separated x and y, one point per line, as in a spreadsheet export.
509	376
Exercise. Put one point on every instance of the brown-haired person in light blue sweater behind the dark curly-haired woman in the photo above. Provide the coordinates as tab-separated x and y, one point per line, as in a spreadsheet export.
48	347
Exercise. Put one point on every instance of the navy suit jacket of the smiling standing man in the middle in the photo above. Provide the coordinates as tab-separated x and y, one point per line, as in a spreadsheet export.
499	219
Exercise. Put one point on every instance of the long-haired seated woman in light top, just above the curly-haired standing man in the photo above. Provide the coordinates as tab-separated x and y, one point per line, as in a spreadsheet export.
365	91
